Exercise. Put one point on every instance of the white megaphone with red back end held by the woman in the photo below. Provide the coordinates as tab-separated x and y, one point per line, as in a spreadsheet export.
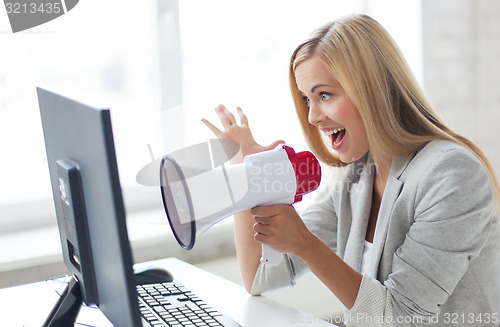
195	198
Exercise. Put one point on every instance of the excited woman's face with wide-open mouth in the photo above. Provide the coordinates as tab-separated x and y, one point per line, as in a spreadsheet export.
331	110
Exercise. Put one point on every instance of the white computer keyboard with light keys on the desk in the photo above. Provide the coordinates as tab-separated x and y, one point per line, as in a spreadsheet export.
172	304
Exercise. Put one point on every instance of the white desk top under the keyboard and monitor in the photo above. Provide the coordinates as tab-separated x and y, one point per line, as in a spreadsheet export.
28	305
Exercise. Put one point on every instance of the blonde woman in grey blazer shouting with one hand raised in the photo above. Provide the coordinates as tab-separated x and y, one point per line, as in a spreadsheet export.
410	233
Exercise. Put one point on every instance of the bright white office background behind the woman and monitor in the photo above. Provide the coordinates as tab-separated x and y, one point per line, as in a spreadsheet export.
162	65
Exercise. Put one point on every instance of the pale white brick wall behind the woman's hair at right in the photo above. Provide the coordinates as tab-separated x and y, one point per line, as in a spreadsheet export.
461	41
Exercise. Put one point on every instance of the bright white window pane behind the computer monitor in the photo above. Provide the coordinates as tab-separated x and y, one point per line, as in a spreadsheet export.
100	53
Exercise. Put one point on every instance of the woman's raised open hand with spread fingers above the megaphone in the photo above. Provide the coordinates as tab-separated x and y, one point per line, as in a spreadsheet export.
239	133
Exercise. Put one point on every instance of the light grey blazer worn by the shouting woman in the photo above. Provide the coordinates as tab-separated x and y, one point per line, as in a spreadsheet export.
436	248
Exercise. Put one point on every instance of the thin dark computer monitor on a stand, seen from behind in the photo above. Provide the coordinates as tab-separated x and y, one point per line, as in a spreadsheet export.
90	210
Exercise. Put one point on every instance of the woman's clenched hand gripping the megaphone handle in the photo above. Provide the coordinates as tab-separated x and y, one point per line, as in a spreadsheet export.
281	227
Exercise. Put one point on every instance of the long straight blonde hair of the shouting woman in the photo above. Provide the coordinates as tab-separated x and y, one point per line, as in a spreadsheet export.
368	64
